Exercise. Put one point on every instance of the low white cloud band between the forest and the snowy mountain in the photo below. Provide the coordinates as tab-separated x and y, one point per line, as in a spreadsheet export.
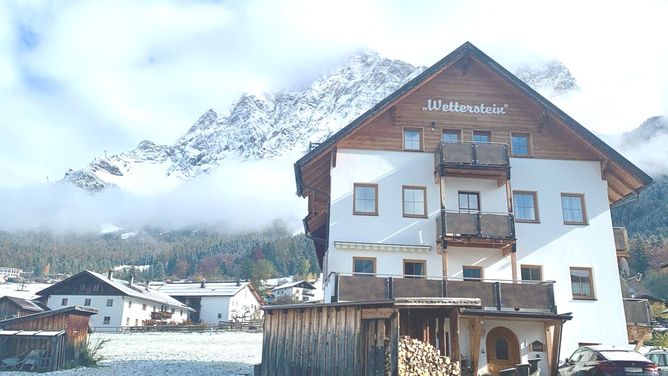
239	196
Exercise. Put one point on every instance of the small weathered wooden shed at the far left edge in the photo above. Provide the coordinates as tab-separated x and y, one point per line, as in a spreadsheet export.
43	331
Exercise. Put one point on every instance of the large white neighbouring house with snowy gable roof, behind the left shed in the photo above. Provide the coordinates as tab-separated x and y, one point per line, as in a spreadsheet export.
120	303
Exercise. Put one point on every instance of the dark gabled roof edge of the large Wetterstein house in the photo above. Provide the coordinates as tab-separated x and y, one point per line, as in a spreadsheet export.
462	51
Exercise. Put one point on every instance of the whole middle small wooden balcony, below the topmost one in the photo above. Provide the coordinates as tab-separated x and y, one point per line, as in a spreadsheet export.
478	229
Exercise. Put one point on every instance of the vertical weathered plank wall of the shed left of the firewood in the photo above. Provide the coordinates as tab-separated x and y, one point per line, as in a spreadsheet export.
326	340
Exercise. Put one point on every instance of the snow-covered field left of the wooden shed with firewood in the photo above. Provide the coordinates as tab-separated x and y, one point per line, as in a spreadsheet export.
157	354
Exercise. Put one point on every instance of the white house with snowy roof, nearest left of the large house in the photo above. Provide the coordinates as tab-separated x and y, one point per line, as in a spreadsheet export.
214	302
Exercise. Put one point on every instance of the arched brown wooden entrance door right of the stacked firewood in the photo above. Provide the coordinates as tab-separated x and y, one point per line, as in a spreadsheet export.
503	350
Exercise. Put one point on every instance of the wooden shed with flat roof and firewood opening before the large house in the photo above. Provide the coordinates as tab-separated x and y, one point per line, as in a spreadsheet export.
355	338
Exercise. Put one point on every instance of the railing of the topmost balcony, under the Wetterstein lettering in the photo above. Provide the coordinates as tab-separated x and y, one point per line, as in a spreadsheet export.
472	156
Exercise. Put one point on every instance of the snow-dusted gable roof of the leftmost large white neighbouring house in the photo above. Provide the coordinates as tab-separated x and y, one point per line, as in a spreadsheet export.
124	287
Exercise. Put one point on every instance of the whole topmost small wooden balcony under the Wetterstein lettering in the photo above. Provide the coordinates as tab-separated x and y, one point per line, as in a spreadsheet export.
468	159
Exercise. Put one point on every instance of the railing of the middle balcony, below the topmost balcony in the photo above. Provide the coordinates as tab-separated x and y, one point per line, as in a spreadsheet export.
492	226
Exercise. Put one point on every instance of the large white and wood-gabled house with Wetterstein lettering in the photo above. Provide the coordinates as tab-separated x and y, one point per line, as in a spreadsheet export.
467	183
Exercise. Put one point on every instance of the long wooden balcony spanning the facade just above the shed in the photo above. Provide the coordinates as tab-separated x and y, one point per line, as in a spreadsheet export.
495	295
